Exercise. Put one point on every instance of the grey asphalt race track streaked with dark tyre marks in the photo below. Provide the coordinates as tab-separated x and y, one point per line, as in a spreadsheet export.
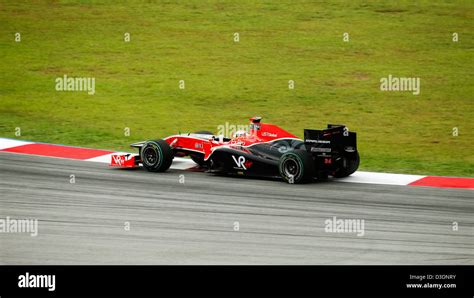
193	222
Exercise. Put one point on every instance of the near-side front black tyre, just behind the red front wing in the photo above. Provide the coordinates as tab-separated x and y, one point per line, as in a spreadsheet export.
156	156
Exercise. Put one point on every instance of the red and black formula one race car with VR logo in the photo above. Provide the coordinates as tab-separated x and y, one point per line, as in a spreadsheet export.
265	150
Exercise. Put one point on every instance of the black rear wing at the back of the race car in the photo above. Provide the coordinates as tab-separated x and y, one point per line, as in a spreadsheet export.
335	139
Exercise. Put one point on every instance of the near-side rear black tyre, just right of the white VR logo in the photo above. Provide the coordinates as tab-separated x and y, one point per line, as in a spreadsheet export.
296	166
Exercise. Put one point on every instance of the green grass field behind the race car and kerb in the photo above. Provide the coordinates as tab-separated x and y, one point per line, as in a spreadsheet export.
336	81
